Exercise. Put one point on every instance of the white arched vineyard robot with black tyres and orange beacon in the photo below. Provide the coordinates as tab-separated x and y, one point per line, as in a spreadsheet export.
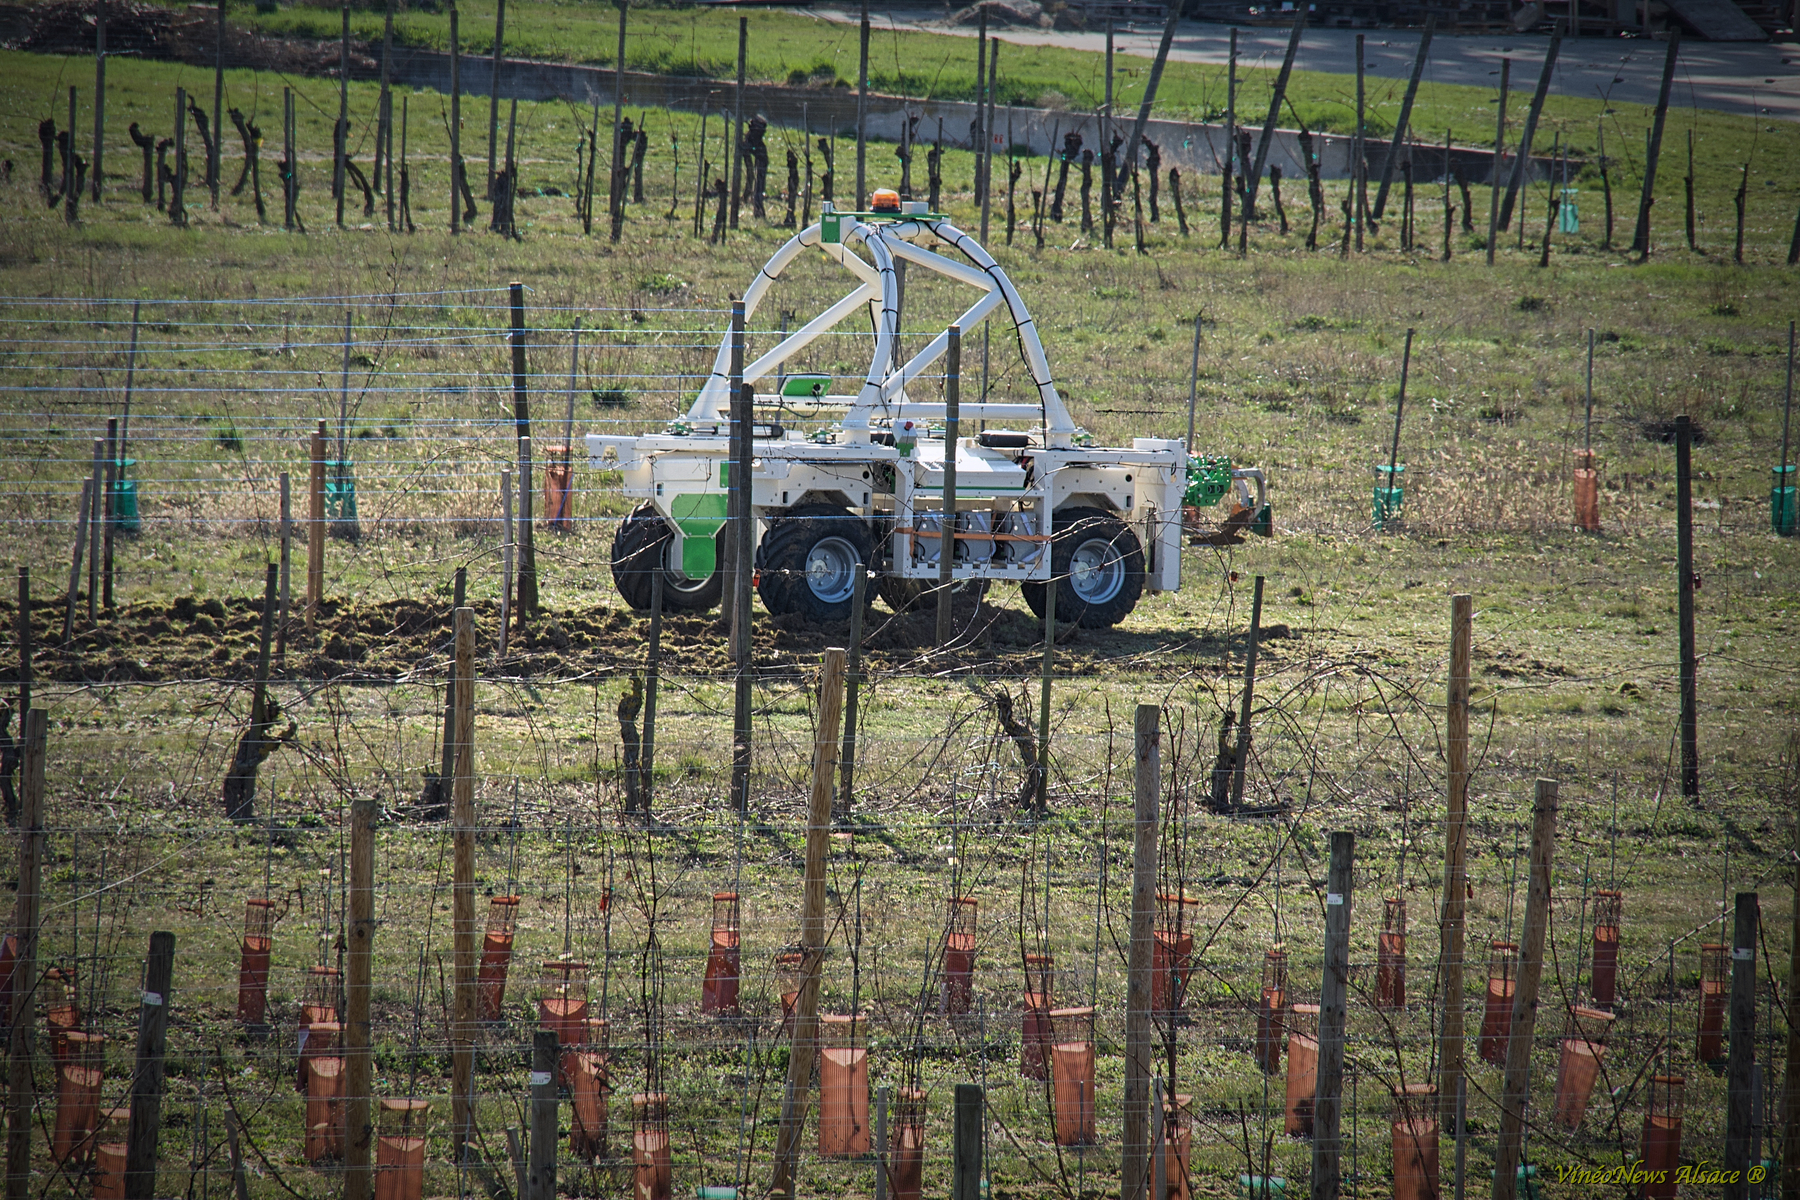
1034	499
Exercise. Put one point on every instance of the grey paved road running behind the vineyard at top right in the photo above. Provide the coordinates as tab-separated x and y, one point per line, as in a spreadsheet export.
1731	76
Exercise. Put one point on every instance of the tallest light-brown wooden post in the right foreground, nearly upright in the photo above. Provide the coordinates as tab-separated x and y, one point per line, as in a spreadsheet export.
1455	846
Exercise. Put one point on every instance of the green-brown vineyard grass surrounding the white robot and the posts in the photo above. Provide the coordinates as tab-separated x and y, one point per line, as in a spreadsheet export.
1299	372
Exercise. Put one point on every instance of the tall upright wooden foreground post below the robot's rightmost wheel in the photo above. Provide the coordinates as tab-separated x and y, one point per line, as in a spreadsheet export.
1147	778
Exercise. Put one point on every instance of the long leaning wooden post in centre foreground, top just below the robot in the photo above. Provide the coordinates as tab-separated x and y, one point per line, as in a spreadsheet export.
813	927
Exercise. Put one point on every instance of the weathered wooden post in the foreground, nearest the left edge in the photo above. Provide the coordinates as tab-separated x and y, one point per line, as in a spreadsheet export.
22	1048
